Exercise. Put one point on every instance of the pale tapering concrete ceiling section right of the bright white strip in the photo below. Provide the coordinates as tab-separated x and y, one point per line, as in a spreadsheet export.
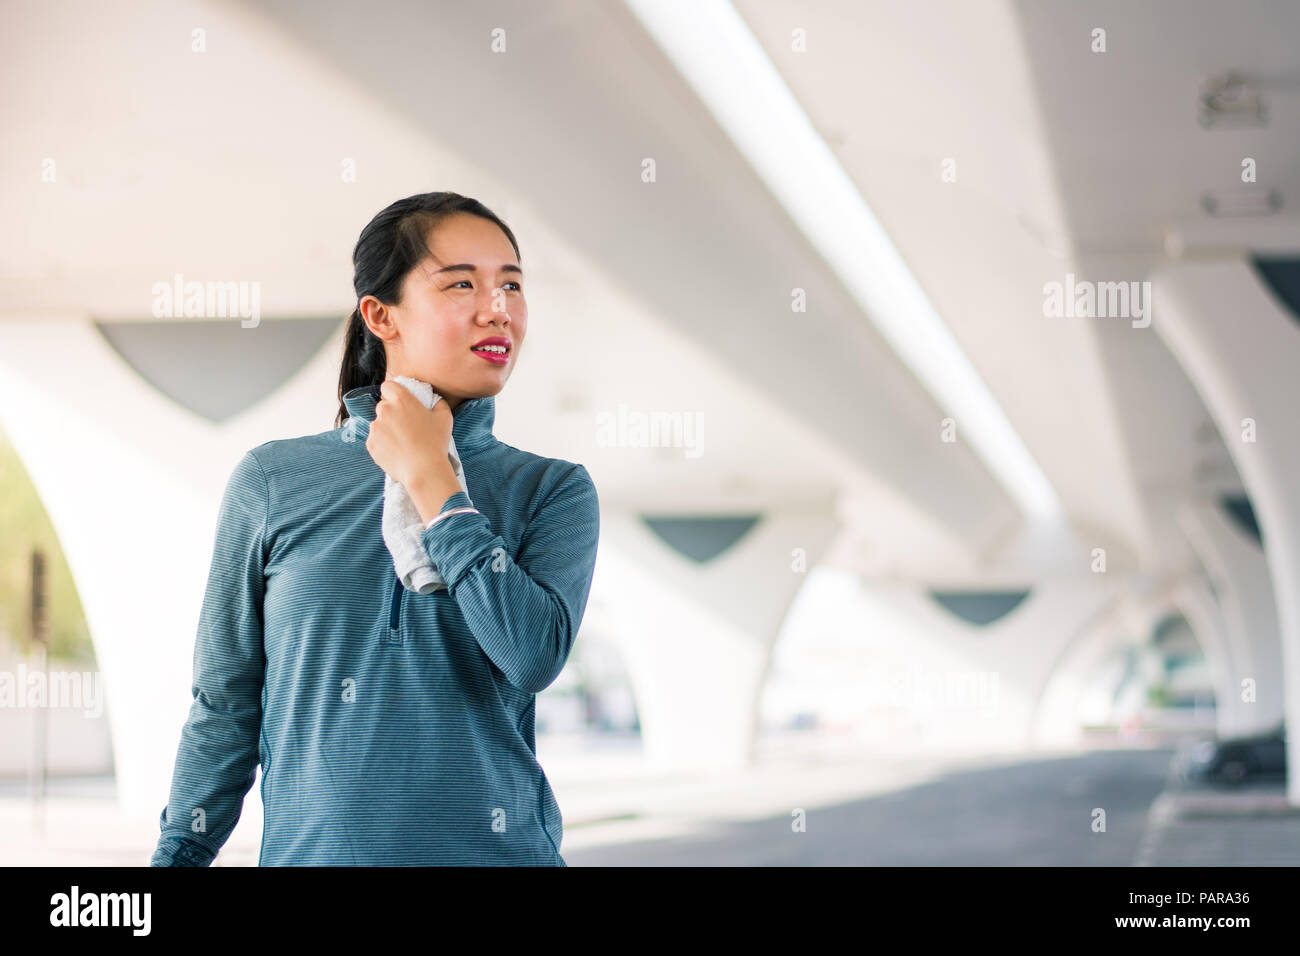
899	90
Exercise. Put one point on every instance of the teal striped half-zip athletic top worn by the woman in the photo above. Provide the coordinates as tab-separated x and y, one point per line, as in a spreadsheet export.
393	729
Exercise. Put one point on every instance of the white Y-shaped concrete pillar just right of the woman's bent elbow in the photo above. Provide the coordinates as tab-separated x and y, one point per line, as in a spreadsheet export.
697	638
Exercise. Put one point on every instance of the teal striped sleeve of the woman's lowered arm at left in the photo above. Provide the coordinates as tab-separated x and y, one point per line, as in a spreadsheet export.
219	754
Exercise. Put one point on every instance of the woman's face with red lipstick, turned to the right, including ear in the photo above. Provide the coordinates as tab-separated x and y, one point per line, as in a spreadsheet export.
470	292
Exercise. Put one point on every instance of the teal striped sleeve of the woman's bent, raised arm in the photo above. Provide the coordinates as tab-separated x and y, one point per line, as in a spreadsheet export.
525	612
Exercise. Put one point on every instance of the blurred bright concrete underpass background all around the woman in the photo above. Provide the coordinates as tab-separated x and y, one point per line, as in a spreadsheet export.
935	364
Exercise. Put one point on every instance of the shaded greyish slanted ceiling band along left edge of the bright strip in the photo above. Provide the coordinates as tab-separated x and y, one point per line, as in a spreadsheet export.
591	96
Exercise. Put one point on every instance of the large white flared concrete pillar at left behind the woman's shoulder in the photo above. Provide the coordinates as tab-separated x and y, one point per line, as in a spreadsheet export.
132	483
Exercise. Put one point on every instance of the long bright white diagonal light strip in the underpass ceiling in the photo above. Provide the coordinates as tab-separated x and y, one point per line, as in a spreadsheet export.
716	53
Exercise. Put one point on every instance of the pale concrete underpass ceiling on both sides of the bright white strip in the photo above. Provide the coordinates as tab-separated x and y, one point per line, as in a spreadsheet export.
798	408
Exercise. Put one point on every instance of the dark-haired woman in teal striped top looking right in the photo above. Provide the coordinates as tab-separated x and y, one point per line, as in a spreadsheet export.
392	728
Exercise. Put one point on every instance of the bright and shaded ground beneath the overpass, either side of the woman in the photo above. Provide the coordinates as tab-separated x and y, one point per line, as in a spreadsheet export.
807	801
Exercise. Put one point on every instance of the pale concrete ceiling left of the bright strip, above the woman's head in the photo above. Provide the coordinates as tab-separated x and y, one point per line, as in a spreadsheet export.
227	167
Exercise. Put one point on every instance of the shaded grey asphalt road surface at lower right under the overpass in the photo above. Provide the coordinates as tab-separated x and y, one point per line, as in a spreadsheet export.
1030	814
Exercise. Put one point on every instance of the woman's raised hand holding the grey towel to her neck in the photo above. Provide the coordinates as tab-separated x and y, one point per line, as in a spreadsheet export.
410	444
